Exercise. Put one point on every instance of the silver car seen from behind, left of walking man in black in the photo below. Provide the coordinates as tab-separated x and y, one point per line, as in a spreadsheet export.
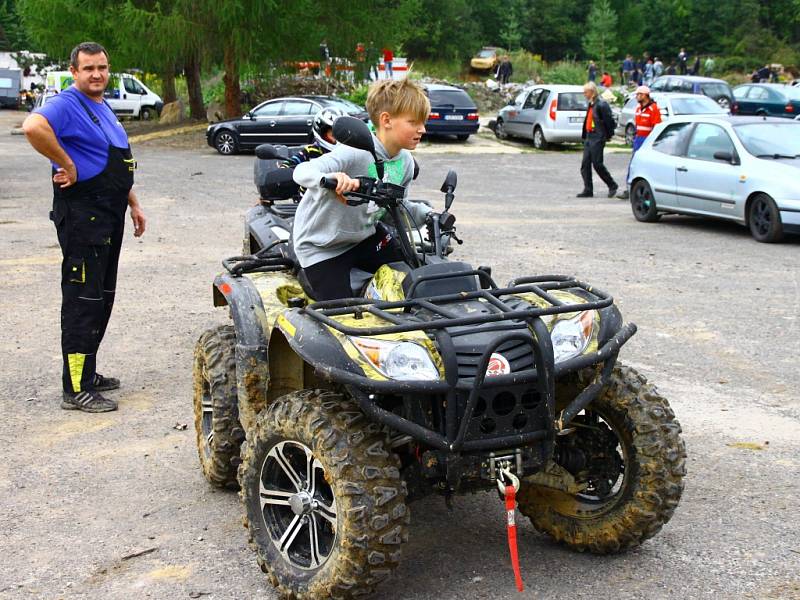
546	114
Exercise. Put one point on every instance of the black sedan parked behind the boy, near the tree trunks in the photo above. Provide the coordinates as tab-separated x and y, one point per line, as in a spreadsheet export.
284	121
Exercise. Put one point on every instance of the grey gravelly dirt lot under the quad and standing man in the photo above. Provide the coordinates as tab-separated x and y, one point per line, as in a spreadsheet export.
719	334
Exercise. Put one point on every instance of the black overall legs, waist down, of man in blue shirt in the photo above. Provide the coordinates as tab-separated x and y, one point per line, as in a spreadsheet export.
89	228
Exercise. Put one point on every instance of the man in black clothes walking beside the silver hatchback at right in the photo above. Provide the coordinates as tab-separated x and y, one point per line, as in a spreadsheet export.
598	128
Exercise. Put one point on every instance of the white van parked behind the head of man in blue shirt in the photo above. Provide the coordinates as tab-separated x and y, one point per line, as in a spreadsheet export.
126	95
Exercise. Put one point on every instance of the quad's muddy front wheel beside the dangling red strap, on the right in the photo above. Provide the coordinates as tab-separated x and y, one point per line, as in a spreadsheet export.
647	470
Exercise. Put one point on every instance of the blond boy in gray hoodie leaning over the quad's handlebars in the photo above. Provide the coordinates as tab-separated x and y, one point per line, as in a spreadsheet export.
331	238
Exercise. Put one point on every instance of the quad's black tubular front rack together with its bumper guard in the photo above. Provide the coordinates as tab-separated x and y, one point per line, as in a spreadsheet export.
520	325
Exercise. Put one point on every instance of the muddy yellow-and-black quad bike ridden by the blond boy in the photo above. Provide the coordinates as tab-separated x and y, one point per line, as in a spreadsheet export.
331	417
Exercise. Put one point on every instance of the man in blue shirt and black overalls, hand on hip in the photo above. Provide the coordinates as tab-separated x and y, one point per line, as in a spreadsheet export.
92	189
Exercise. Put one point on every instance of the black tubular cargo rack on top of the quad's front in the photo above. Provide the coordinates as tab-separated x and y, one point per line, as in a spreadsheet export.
443	318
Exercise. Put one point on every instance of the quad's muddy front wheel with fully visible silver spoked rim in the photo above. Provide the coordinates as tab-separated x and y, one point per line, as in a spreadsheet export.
325	503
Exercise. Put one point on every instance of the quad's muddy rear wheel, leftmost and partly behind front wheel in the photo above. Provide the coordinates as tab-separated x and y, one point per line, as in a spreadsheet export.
216	409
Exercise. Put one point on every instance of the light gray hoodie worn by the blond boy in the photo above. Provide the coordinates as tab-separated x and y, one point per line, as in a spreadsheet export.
324	227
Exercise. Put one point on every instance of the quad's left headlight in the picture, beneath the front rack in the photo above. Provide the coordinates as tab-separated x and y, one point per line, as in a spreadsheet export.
404	361
